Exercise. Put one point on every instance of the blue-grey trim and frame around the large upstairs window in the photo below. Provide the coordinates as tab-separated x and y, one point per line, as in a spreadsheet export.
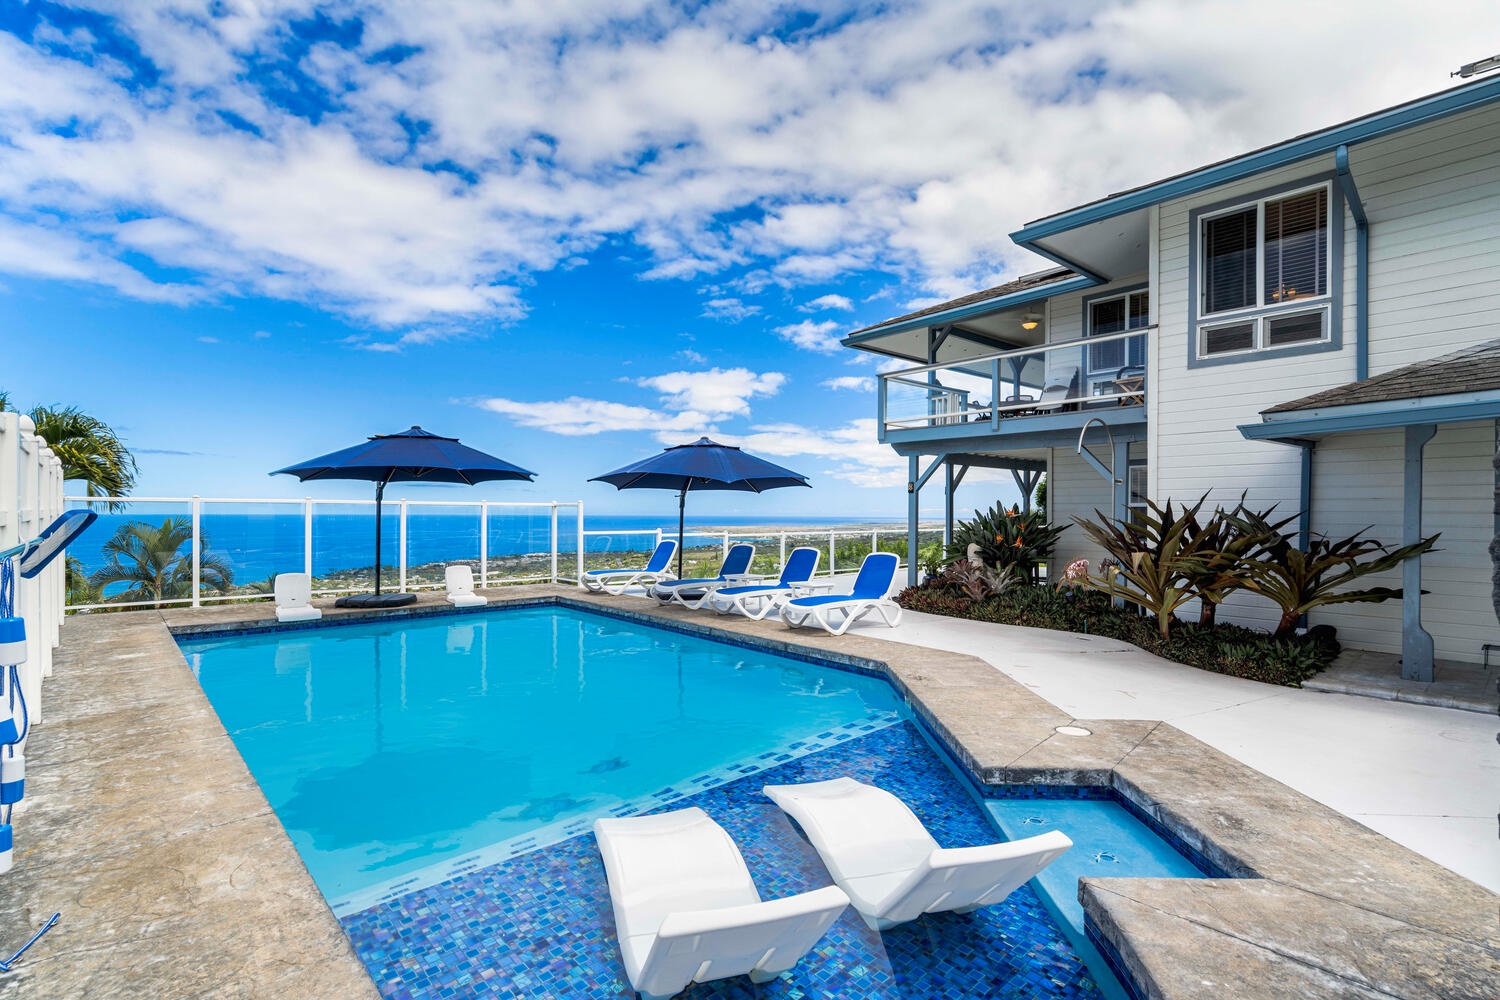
1336	280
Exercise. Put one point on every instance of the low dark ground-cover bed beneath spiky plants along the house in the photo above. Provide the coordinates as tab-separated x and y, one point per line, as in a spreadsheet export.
1222	648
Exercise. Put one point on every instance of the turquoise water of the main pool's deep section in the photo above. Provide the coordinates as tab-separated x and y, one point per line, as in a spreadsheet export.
398	755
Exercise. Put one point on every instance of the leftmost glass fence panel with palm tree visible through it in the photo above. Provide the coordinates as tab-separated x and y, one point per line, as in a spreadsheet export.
139	555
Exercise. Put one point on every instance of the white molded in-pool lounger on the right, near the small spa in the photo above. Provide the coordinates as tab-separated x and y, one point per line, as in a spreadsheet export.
890	866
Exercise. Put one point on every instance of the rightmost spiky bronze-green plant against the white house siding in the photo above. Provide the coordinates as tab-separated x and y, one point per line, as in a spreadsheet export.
1300	581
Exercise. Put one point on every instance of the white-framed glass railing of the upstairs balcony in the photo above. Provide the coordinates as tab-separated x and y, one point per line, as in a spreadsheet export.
1055	379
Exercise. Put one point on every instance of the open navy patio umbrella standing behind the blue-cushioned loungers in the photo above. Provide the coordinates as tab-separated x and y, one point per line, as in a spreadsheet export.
703	466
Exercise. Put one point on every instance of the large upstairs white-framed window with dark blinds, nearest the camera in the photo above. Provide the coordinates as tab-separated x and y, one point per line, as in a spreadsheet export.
1270	257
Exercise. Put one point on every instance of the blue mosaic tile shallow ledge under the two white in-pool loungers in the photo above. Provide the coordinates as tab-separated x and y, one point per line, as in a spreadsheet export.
541	924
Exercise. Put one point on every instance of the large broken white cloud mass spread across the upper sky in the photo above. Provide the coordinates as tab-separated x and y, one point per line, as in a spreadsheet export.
901	137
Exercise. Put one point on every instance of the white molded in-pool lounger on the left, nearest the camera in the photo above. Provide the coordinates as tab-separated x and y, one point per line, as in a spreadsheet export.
686	909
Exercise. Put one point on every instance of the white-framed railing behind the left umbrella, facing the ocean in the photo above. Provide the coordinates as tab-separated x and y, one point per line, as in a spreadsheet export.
560	540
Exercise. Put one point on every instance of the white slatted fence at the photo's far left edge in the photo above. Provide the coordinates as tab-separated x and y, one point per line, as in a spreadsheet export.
31	499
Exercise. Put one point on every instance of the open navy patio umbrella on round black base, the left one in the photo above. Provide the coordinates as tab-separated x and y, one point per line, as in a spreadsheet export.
410	457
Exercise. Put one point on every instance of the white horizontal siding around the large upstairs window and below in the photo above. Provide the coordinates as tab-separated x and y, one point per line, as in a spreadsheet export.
1433	199
